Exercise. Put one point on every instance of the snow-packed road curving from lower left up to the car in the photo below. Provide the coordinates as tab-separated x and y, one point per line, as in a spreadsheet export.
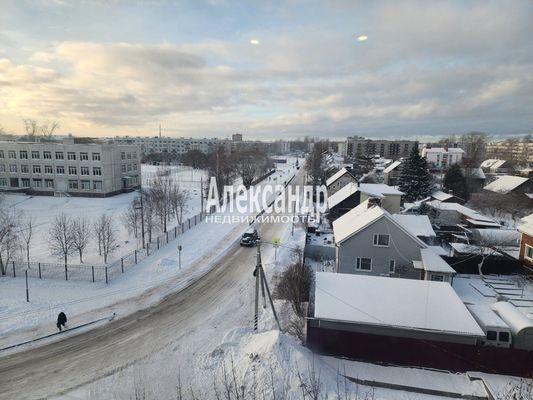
59	367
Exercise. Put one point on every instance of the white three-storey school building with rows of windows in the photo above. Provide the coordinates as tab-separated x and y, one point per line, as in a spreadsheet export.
89	169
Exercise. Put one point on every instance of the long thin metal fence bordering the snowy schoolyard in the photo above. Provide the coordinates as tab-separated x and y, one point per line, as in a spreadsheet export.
100	273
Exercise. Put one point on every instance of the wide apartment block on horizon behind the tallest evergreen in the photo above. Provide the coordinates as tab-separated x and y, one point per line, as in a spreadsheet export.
359	146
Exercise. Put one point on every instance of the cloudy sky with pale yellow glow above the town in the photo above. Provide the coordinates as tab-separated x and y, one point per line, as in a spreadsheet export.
268	69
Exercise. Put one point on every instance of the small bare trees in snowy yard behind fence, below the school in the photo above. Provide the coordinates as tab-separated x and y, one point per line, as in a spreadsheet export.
69	235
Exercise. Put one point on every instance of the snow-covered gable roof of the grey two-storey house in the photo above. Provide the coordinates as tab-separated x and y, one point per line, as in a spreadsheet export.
362	216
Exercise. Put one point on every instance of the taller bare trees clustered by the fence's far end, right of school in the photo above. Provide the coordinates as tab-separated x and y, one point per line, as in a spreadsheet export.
161	201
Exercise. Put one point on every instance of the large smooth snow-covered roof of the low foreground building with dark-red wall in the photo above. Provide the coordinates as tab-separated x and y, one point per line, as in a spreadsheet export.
424	305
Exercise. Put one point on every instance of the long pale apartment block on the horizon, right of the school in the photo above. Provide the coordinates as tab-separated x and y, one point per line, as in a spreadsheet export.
178	145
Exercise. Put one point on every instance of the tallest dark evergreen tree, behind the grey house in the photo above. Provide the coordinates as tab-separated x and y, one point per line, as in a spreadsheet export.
415	179
